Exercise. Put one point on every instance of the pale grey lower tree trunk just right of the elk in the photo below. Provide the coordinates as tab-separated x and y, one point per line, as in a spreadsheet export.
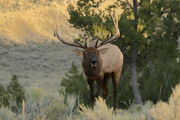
134	82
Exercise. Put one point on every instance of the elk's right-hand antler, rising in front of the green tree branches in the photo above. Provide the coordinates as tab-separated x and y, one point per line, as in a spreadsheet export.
115	36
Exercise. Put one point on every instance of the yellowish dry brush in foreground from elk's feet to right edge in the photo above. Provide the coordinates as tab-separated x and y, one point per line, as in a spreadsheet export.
160	111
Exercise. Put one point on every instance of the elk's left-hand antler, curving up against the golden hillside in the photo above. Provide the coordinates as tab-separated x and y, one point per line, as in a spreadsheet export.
57	34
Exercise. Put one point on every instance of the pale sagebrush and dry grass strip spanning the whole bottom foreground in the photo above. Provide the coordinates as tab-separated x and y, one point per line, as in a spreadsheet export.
49	107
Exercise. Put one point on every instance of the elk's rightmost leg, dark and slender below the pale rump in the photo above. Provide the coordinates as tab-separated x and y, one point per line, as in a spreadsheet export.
115	80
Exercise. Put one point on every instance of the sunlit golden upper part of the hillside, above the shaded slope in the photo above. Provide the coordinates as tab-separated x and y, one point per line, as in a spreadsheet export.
23	21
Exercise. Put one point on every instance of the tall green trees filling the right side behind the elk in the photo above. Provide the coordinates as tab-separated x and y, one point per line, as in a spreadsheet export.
149	34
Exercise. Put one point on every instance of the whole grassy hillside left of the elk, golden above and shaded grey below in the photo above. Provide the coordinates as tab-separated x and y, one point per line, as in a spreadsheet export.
28	48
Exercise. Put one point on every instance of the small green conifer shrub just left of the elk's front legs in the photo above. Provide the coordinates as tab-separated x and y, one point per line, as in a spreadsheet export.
74	84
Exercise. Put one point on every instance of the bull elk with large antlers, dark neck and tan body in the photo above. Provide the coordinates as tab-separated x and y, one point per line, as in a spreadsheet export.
100	62
